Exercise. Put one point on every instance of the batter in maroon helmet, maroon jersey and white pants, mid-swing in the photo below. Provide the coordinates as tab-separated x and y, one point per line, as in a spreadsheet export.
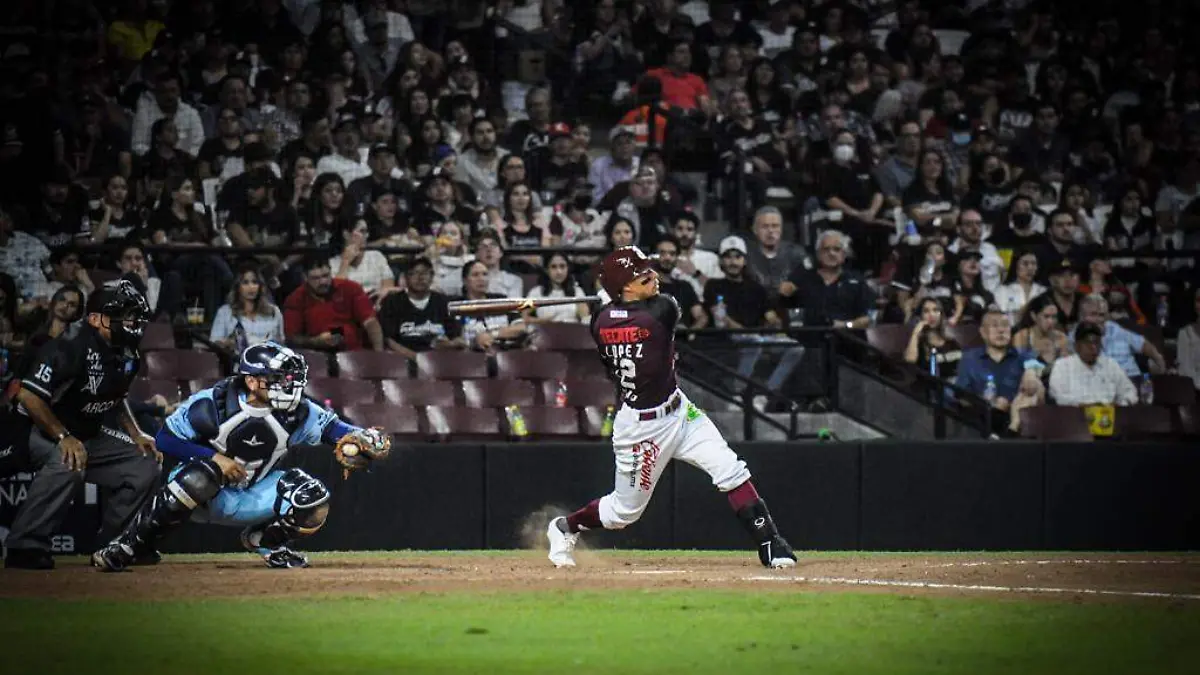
657	422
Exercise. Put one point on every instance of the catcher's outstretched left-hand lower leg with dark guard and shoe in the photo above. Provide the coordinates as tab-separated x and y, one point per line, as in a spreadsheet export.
193	487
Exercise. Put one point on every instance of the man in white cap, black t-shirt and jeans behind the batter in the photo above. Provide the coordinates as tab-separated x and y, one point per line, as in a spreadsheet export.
740	302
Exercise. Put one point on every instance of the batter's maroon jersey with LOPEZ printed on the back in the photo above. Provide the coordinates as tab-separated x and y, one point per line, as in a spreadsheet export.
637	344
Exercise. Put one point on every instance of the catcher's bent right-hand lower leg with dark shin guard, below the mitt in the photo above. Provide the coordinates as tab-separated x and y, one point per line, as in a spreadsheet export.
302	509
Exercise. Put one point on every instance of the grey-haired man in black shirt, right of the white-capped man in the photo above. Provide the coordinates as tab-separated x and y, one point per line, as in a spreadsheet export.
830	295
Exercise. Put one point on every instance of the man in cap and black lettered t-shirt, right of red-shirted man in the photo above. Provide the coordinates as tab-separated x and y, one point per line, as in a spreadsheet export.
418	320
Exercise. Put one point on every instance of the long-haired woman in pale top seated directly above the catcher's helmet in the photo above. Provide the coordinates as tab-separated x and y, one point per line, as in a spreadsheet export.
249	316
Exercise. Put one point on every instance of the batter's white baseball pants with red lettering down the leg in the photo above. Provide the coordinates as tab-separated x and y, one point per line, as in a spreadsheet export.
644	449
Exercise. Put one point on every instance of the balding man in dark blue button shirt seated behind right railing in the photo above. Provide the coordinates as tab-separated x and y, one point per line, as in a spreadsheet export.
998	359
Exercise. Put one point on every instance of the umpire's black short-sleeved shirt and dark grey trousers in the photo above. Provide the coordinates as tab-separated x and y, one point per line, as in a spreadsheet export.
82	378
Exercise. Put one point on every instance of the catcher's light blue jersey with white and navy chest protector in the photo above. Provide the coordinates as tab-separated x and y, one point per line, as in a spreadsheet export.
221	420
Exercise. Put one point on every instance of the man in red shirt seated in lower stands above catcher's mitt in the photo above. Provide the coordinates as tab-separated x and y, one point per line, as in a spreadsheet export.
331	314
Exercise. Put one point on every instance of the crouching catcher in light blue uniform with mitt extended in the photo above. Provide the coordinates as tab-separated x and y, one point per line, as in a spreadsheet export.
230	440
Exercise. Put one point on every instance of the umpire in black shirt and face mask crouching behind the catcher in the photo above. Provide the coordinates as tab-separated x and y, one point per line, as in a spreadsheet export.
71	386
